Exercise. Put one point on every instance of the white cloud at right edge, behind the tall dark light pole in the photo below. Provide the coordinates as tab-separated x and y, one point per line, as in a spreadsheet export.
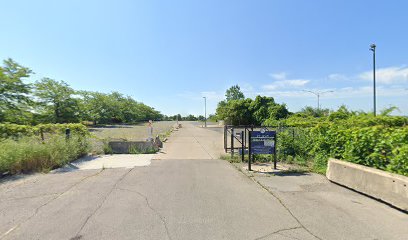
390	75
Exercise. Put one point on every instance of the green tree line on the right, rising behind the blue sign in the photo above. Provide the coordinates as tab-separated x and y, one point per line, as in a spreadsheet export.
238	110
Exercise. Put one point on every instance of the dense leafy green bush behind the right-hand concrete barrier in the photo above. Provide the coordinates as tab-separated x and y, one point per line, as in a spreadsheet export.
382	146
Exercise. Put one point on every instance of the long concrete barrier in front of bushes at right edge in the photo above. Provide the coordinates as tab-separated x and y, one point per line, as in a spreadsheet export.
388	187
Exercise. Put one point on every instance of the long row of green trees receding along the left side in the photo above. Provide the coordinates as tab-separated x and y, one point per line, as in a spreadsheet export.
52	101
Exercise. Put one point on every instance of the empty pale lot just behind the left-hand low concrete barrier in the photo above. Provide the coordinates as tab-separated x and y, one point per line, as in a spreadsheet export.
131	132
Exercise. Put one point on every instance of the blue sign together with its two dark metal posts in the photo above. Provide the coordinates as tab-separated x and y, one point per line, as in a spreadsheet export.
262	142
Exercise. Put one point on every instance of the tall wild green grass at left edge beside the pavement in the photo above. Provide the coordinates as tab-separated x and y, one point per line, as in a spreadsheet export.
30	154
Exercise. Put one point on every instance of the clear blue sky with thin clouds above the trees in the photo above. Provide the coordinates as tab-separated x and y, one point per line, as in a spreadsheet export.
169	54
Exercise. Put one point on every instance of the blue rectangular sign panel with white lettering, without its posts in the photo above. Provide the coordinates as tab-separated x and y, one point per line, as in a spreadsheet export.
263	142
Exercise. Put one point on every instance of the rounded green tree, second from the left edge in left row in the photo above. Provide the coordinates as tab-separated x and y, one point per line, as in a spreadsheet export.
57	101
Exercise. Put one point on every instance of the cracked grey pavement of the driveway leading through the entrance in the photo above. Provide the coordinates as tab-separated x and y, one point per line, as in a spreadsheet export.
187	194
